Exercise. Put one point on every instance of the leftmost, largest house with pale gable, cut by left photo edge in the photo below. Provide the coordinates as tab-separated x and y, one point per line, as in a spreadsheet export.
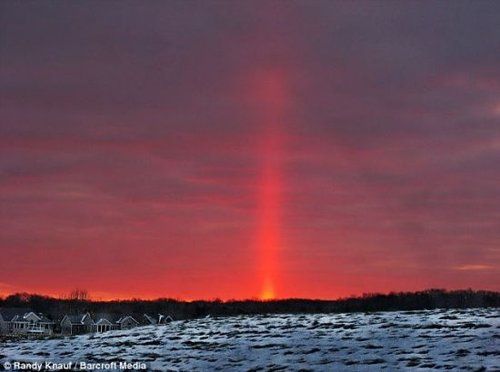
24	321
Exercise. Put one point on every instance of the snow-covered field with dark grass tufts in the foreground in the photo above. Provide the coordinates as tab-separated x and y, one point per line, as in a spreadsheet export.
418	340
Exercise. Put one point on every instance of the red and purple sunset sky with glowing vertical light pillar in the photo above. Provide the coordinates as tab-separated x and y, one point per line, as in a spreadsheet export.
259	149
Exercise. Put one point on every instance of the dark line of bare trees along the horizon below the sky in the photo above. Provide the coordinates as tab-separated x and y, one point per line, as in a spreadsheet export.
428	299
